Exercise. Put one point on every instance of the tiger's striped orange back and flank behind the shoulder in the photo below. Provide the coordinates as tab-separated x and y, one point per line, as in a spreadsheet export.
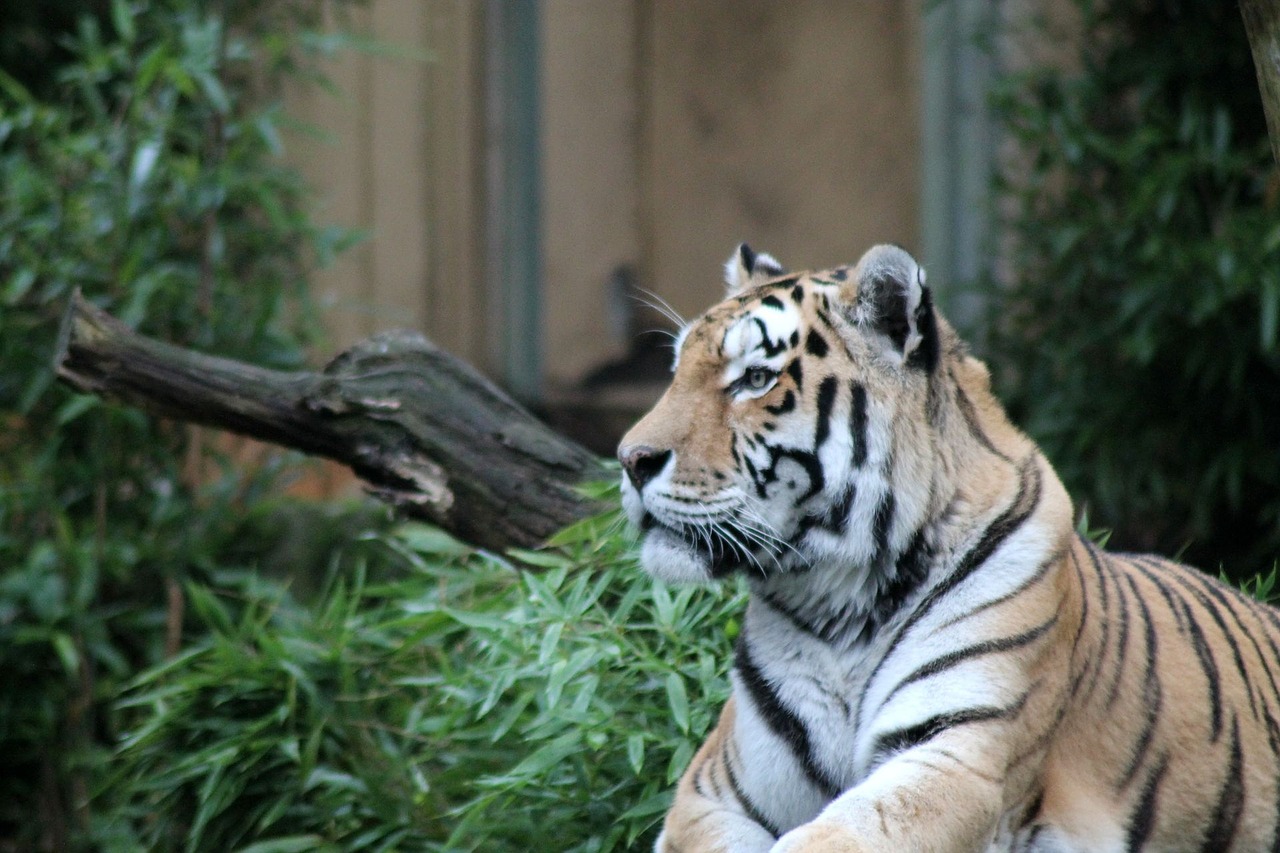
1173	727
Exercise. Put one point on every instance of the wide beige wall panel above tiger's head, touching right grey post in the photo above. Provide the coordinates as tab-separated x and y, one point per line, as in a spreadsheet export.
792	126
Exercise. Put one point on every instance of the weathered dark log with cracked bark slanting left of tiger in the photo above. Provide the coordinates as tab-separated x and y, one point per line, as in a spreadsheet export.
423	428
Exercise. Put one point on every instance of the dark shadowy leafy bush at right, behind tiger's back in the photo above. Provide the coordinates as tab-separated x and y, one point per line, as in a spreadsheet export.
1140	339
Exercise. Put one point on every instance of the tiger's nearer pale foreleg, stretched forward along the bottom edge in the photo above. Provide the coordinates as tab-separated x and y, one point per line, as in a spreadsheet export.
941	797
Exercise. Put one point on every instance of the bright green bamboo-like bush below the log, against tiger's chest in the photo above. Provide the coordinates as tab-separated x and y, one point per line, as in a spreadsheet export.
461	706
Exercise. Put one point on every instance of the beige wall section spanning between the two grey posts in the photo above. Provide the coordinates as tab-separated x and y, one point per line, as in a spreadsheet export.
792	126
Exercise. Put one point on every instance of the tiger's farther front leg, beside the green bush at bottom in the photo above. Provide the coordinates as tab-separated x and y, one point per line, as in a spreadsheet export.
711	814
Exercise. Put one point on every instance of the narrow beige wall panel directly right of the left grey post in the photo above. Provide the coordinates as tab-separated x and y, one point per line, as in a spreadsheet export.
591	177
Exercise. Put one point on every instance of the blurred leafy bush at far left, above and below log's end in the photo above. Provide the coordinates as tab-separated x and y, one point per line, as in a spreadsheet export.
140	161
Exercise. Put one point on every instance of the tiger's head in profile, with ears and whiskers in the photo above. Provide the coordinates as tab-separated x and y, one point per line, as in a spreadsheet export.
801	426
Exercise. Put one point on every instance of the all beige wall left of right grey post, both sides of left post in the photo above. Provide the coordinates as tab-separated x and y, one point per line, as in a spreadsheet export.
670	131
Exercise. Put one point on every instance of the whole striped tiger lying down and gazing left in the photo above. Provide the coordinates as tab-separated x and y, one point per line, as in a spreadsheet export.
932	658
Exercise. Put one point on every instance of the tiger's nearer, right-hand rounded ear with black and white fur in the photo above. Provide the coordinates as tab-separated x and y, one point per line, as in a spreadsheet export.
888	297
